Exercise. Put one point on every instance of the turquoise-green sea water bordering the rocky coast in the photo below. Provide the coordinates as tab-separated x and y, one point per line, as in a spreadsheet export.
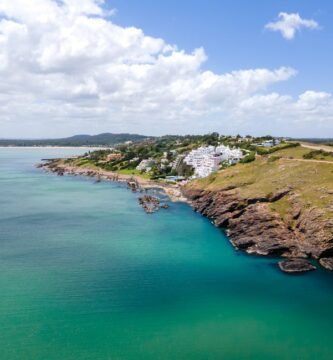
86	274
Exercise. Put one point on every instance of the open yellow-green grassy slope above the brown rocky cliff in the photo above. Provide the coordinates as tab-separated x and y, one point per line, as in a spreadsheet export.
311	180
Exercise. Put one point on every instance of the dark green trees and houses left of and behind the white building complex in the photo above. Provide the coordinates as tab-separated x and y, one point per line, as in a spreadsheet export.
164	156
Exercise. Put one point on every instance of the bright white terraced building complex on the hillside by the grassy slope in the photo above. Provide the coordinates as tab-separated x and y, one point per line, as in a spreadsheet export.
206	159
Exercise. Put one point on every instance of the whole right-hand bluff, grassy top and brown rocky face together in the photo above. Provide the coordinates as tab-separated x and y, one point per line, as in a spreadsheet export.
277	206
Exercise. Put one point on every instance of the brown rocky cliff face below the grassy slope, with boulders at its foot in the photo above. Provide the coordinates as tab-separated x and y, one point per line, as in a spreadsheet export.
254	228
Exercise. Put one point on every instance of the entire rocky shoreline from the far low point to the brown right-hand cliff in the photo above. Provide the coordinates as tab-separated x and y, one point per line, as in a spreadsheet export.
250	224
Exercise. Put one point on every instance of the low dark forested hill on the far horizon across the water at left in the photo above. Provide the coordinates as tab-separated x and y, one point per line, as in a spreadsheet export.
77	140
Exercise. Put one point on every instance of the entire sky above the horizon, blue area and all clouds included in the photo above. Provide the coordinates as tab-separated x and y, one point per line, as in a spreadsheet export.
166	67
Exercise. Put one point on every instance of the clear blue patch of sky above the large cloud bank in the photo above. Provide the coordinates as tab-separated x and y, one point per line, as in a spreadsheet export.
233	35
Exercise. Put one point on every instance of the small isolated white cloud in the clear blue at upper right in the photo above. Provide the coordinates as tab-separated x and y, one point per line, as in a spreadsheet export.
289	24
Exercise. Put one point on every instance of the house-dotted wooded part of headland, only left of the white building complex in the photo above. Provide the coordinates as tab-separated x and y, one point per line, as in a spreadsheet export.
165	155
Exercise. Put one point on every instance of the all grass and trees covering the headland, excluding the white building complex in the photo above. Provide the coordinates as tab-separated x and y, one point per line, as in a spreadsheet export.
261	172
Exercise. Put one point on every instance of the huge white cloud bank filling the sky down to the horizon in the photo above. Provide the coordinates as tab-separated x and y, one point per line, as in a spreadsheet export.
66	68
